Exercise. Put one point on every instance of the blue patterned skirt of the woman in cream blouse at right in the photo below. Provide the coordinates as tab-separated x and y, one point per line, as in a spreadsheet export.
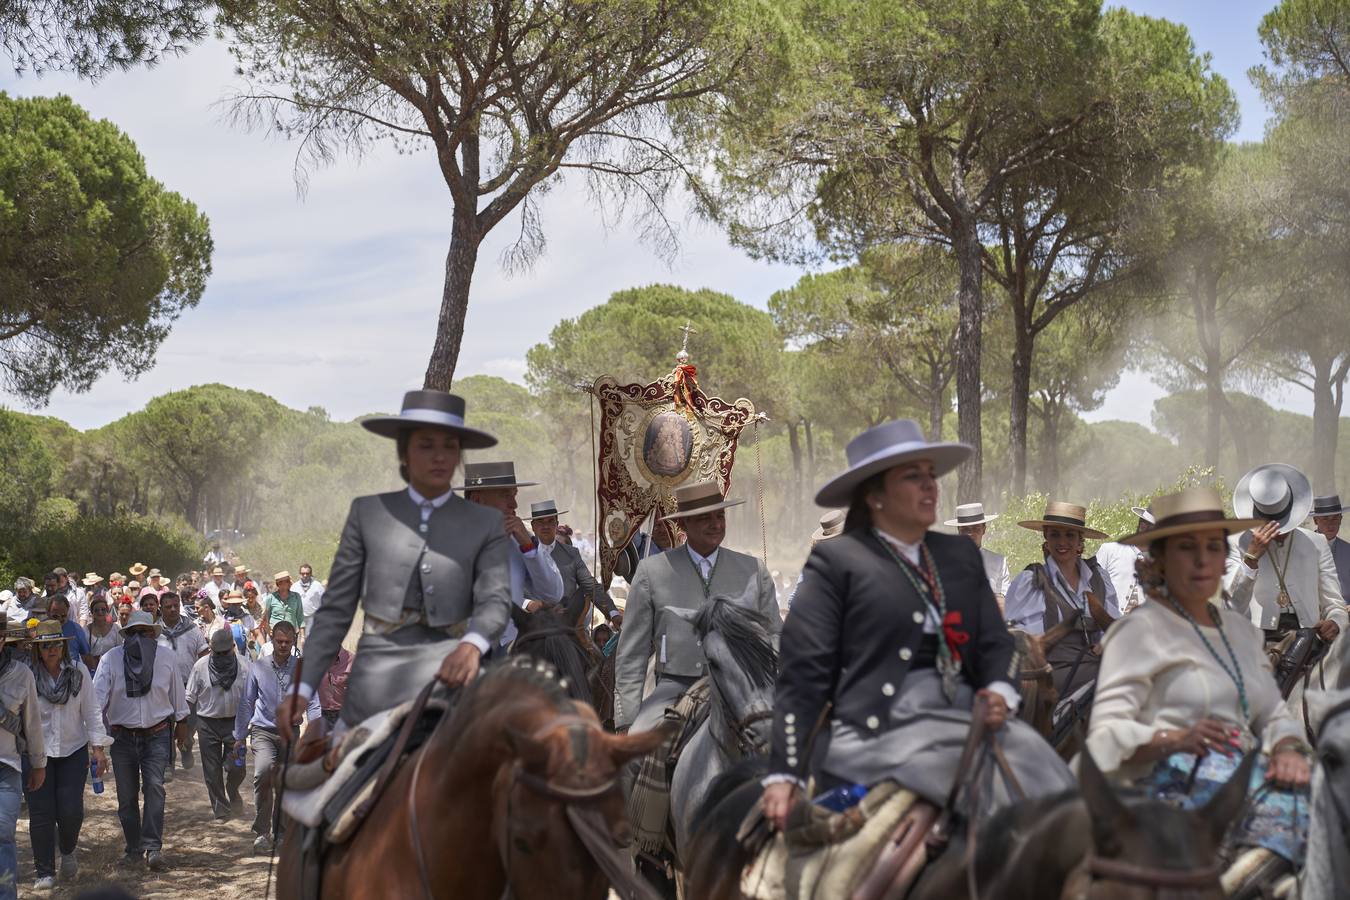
1272	818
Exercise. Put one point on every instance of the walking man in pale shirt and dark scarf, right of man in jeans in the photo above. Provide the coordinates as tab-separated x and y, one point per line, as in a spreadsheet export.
215	689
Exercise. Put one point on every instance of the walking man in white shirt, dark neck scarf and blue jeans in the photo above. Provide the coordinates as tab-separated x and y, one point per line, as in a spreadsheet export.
142	700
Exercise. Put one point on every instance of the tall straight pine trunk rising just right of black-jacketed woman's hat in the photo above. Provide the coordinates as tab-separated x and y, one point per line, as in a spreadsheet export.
969	334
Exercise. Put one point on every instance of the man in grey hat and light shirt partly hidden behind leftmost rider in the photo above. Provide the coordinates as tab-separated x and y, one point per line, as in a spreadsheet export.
534	574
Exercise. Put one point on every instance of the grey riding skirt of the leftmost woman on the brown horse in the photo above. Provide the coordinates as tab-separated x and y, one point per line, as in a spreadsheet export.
394	669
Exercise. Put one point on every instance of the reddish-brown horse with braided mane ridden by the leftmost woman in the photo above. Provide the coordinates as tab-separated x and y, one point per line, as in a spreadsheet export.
514	794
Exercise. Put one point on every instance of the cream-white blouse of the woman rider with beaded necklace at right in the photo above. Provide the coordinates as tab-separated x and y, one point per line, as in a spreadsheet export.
1158	675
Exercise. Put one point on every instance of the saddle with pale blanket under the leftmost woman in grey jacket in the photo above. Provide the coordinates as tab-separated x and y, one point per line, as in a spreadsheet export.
369	758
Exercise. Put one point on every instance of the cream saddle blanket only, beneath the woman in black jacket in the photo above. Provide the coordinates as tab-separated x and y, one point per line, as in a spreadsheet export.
789	870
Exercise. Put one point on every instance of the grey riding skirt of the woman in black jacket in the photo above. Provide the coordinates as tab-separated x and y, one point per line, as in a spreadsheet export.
921	750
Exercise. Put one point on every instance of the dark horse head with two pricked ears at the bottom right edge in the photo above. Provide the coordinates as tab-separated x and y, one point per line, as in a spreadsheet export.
1150	849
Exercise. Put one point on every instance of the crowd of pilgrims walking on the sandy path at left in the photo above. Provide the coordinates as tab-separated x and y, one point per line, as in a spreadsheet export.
137	677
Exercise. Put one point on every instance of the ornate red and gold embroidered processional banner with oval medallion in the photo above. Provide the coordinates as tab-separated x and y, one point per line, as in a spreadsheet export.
654	438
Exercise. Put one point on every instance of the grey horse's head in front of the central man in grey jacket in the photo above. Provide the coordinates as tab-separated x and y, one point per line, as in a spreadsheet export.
743	670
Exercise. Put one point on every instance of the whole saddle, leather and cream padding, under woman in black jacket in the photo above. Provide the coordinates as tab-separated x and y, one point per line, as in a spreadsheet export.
871	851
